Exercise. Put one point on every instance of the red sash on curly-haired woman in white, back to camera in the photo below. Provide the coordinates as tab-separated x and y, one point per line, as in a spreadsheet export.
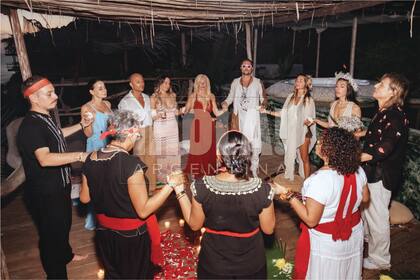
340	228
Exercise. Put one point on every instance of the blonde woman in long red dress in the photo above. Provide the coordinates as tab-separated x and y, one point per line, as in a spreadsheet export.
202	156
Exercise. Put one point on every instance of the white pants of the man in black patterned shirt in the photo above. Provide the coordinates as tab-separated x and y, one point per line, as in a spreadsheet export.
376	224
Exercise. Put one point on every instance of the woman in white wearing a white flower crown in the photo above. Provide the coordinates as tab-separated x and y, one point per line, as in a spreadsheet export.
345	101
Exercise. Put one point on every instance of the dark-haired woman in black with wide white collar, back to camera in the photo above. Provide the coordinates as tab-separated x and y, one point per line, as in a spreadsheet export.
233	207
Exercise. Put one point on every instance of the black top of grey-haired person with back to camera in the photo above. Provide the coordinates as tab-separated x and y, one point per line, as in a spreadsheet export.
107	179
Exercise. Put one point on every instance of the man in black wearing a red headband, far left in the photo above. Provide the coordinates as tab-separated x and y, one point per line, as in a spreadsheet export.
47	168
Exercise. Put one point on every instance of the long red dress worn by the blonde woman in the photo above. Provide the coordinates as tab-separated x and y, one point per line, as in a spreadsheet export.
202	156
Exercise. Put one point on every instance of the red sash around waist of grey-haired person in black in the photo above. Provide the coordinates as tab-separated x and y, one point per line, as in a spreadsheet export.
129	224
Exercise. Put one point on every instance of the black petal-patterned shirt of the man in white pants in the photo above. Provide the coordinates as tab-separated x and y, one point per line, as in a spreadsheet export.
386	140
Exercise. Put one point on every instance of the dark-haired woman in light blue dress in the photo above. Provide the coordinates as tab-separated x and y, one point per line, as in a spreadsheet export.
99	110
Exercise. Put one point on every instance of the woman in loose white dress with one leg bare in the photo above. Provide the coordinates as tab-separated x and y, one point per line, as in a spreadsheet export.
297	131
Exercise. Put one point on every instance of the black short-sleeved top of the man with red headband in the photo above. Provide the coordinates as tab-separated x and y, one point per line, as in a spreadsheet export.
39	131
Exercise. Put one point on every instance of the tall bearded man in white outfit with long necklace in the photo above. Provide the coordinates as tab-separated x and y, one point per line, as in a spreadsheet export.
247	95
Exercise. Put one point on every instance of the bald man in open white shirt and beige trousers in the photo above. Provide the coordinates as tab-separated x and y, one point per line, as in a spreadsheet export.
138	102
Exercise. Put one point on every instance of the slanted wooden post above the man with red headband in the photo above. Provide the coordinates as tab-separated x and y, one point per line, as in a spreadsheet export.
25	68
